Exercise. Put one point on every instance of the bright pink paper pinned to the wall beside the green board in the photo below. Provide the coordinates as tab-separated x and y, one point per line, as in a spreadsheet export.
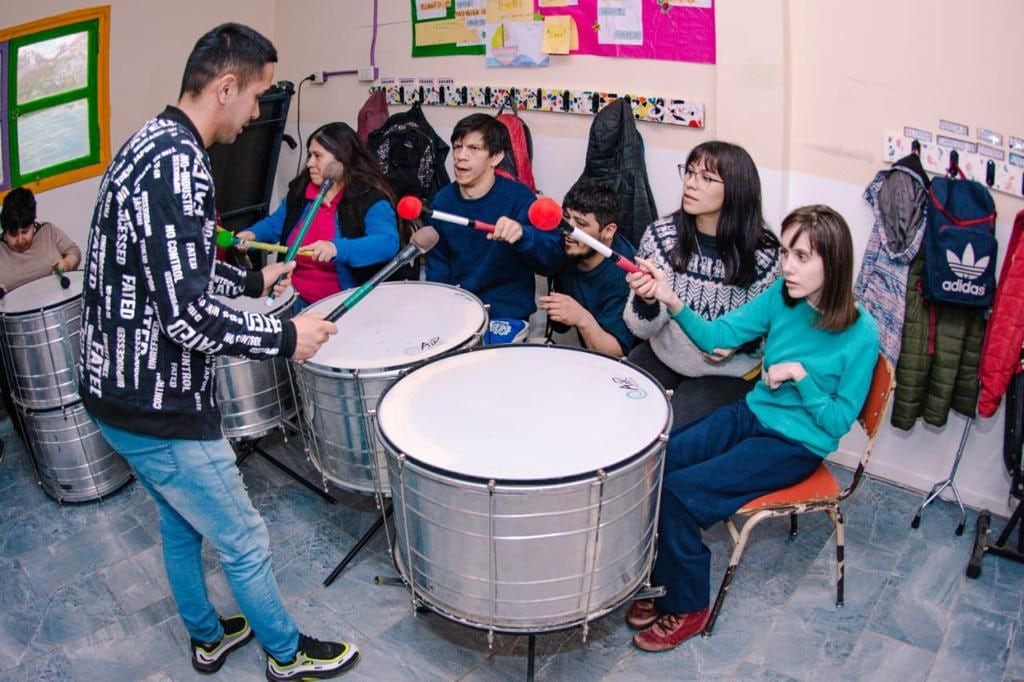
679	33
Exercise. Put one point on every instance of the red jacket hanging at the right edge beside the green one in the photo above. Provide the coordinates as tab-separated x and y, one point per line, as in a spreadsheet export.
1001	355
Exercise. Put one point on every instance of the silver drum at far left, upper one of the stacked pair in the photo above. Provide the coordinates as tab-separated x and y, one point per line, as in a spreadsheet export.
40	325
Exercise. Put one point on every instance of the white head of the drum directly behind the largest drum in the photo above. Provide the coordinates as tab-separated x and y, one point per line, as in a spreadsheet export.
399	324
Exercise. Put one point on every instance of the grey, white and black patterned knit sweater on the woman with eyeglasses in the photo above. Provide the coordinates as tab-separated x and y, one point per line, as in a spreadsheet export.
702	289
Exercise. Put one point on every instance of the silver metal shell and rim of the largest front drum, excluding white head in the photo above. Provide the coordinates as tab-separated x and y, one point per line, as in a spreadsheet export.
550	565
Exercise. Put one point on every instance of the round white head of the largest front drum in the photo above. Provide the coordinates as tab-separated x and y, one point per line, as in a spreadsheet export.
524	413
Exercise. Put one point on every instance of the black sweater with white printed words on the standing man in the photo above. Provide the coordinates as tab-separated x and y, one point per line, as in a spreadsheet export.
151	327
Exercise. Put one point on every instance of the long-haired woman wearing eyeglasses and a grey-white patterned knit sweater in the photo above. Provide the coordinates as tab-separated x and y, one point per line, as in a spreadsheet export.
717	254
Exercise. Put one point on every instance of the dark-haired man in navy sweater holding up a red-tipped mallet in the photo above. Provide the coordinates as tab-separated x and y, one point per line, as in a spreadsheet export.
497	267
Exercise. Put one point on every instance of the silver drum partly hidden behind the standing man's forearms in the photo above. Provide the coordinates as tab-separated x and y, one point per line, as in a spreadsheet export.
255	397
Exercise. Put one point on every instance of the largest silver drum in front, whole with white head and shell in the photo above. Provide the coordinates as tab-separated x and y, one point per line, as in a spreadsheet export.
526	483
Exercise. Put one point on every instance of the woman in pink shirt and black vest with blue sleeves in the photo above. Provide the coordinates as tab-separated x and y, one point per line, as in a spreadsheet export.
356	230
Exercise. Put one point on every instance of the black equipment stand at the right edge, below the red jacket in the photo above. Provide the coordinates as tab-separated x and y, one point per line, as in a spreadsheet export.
1013	445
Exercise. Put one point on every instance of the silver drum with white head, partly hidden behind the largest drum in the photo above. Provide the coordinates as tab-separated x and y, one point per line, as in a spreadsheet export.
394	328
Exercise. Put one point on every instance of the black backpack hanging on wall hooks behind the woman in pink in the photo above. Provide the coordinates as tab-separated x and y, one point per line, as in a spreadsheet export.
411	154
